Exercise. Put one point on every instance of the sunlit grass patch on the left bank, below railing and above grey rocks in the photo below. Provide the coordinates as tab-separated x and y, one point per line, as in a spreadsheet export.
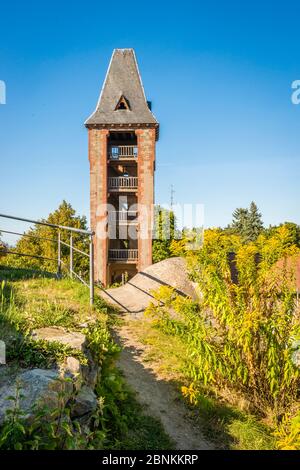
32	303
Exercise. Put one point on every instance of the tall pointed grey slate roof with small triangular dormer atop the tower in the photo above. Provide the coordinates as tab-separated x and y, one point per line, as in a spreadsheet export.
122	81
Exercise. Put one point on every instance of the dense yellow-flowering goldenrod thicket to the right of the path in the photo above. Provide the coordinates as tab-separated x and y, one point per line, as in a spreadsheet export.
244	333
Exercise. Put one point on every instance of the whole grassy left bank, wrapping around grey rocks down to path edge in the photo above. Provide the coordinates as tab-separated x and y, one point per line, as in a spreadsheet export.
29	301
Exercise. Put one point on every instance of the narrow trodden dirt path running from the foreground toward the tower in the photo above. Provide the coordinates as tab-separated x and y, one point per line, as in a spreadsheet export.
159	397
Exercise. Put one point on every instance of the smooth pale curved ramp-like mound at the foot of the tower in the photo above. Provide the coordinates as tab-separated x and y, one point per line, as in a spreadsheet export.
136	295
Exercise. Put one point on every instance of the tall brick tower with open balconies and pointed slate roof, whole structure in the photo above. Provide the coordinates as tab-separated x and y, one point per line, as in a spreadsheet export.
122	132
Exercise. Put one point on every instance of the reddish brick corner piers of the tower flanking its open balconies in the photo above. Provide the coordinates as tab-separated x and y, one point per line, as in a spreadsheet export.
98	197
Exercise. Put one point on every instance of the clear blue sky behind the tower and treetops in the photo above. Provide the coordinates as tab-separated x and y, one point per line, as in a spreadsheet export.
219	75
